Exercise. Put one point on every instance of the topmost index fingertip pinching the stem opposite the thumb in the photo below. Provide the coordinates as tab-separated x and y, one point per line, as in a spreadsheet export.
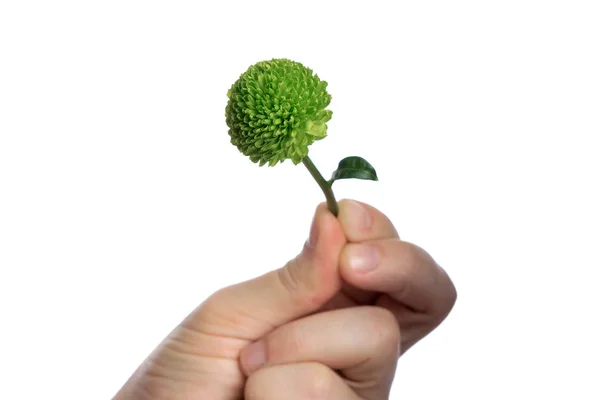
361	222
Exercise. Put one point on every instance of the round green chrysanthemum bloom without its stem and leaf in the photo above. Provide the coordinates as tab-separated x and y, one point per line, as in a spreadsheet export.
276	109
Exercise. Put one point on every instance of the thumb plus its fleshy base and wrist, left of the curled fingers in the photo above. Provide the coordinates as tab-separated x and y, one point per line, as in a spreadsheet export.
200	358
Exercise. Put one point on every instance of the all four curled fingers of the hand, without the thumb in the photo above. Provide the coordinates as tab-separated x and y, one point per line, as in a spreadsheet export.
298	359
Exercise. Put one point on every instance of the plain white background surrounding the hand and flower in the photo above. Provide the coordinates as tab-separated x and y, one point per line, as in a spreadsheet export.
123	205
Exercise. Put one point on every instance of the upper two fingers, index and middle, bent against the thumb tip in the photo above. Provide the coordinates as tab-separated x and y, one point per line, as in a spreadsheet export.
380	269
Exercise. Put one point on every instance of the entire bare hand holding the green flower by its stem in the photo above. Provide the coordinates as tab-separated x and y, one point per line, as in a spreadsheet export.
330	324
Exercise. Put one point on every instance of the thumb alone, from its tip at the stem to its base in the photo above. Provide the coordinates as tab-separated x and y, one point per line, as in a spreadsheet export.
251	309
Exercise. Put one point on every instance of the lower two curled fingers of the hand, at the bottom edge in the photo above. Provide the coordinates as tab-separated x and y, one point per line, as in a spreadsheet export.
348	354
